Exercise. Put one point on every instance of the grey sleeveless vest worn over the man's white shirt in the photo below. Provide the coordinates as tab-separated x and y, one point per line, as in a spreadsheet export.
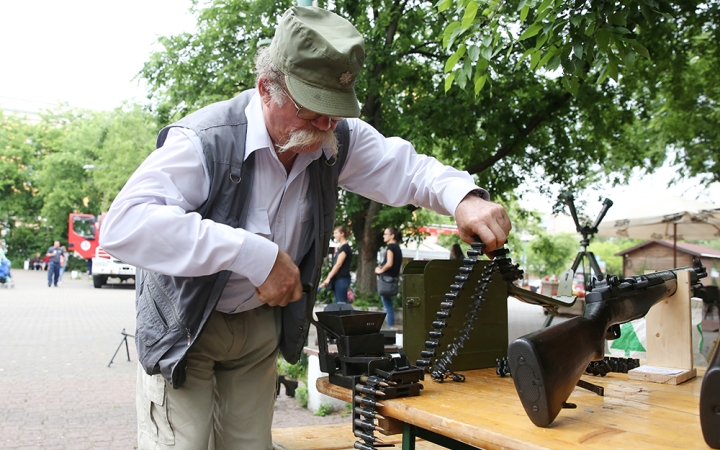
172	311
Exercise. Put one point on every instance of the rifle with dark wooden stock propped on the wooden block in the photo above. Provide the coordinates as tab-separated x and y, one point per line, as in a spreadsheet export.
547	364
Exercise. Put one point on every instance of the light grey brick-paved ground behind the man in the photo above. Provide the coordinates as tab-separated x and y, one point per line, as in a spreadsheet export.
56	390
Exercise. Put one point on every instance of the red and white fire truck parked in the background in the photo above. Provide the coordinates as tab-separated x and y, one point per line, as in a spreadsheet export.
83	237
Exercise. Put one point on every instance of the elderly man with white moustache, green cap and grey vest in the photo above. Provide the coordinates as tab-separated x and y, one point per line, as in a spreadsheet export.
233	214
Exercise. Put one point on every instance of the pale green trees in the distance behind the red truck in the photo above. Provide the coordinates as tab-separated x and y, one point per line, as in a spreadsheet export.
44	172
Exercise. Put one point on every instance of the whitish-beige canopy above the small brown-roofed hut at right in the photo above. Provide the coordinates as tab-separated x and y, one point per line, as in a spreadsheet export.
662	217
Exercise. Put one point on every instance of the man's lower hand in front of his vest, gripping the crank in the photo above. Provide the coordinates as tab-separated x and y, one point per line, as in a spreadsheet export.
282	285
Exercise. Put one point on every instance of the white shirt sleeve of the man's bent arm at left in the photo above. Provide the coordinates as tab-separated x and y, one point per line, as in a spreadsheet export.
150	223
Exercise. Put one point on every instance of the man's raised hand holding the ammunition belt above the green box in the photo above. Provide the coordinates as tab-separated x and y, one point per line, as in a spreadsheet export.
484	219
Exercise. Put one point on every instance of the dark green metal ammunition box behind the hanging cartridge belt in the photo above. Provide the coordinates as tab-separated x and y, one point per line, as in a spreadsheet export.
425	284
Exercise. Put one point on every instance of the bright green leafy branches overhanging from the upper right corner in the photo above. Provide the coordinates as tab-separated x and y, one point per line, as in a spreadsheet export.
662	57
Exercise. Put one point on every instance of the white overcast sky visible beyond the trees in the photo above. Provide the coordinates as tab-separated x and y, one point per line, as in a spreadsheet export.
87	52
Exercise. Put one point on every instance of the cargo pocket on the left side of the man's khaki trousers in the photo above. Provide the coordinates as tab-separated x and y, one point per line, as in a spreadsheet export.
153	423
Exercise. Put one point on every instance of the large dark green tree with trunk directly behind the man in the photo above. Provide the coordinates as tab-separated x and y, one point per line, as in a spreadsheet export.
529	126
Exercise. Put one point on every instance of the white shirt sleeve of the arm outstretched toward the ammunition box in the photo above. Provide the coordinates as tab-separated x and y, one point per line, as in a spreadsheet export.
388	170
